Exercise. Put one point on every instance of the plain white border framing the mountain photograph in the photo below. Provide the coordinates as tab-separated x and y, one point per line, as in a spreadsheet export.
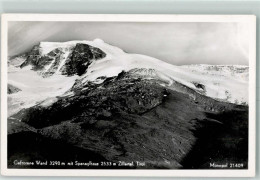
250	19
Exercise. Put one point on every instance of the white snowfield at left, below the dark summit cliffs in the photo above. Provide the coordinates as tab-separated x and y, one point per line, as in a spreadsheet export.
34	88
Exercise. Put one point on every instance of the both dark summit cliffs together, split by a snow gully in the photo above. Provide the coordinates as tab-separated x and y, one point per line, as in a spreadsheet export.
77	62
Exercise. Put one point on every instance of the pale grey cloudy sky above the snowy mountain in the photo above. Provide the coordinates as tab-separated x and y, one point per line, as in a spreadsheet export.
176	43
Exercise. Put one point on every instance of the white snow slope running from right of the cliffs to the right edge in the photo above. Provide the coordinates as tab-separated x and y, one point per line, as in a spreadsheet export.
226	83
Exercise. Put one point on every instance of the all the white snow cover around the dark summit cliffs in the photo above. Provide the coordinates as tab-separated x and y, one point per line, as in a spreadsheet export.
226	83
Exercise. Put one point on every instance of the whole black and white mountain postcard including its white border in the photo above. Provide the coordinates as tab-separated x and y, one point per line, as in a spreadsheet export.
153	93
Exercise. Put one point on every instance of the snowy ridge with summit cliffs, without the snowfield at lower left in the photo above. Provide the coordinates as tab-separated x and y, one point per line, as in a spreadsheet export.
56	58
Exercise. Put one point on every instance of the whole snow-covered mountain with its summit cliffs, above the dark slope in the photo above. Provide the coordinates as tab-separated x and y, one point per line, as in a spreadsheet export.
60	65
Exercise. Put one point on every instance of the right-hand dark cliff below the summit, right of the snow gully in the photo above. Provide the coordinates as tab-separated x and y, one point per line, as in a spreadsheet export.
82	56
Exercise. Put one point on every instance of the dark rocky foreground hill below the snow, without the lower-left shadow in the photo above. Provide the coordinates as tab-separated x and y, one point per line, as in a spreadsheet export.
128	118
